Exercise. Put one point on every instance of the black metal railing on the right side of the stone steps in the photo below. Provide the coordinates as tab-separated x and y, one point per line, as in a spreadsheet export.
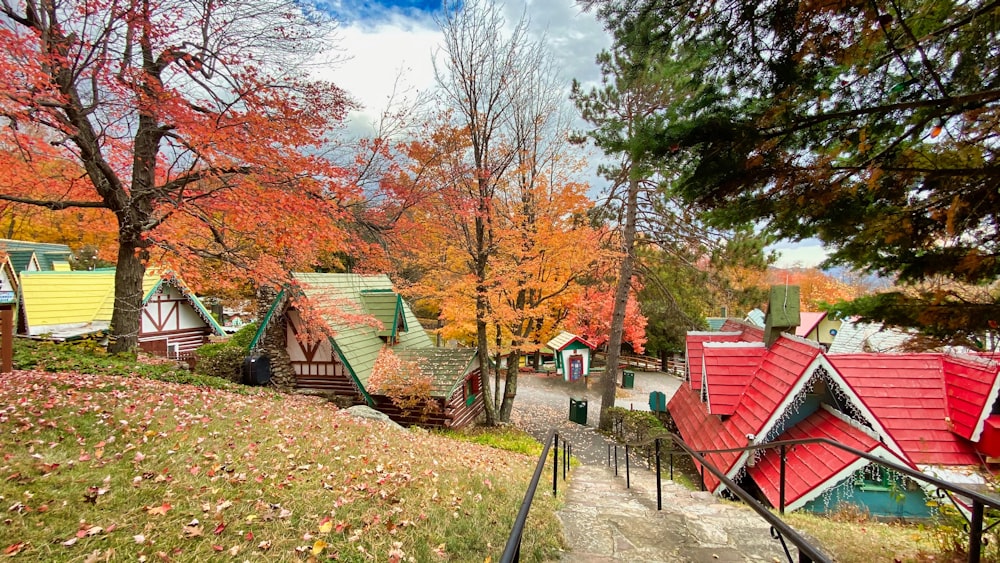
966	500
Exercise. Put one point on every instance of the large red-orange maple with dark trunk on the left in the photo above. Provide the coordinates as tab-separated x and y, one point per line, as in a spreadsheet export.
191	123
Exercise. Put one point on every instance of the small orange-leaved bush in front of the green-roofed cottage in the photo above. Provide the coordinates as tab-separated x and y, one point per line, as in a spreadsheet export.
404	383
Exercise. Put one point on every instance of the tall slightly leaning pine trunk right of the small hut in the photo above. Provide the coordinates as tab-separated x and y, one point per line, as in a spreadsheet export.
610	380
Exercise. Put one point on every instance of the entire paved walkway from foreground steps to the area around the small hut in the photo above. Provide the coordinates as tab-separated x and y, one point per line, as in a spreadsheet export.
603	521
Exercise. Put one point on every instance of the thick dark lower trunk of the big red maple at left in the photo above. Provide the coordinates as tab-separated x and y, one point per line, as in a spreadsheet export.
127	314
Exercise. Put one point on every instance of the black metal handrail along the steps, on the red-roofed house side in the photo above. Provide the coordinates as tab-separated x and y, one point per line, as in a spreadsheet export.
978	500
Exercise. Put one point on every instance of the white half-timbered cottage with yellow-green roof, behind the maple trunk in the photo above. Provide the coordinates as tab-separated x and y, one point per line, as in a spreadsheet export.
78	304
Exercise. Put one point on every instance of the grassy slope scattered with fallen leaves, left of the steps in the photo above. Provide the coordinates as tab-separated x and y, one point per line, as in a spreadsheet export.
103	467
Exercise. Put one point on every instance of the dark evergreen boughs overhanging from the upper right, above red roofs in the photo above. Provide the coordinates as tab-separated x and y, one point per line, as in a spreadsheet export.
870	125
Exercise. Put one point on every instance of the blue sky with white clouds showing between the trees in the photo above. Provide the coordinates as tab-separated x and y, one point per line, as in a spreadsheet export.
385	50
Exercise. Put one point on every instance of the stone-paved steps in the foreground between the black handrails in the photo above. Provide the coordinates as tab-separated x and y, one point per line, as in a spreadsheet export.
604	521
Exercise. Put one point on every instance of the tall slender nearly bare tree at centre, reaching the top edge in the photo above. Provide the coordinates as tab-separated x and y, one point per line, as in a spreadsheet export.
484	76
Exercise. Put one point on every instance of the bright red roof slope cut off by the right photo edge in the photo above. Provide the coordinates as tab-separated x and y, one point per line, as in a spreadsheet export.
971	387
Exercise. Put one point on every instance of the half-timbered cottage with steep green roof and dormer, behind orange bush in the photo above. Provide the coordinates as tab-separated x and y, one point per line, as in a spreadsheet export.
354	317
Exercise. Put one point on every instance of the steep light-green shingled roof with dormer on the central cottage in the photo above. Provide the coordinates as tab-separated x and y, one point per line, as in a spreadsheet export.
338	298
